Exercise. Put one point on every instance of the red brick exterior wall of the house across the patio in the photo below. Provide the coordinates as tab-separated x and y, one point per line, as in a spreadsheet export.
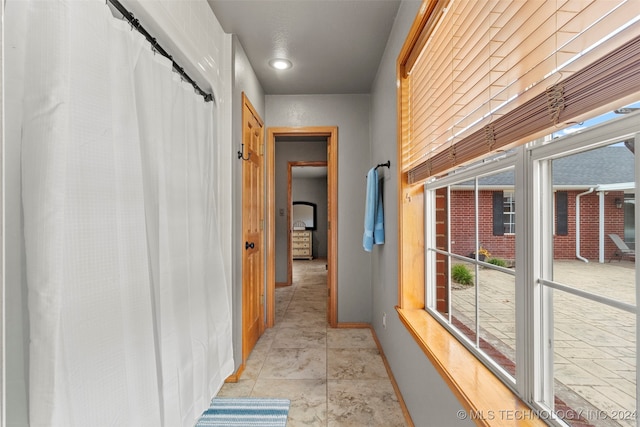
463	233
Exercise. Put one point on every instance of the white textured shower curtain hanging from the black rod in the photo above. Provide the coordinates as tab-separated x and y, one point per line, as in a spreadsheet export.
128	304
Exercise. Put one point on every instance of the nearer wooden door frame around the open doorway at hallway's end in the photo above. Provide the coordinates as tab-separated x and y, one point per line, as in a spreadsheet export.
331	133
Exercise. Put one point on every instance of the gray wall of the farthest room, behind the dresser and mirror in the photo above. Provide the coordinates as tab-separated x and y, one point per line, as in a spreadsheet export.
314	190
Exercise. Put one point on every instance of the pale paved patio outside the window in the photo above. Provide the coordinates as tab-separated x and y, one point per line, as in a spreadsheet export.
595	345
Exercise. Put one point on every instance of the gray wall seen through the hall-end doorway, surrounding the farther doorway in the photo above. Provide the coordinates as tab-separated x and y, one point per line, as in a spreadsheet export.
285	152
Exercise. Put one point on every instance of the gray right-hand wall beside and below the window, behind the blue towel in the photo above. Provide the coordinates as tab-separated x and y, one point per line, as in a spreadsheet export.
428	398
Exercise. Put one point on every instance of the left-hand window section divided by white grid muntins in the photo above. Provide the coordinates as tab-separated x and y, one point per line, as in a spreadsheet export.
475	294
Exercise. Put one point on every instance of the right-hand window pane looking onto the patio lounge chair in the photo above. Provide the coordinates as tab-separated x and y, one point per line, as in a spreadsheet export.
593	326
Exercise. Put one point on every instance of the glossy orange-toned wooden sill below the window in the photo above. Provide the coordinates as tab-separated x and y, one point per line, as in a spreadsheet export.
486	400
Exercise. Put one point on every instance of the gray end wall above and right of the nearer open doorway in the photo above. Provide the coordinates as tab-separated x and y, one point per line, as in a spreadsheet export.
350	113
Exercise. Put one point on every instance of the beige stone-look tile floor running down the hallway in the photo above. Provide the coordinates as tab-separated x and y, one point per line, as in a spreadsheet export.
333	377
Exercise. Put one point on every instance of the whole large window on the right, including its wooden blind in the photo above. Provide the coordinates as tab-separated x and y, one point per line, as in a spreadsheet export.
474	81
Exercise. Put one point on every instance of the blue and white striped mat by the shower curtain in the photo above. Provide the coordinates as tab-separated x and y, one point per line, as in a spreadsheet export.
246	412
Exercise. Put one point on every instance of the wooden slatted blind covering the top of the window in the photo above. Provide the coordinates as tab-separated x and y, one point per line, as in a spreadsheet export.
479	76
